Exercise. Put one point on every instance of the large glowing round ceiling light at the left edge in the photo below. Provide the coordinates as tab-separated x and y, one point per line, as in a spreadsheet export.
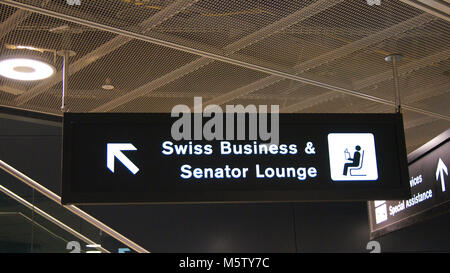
25	69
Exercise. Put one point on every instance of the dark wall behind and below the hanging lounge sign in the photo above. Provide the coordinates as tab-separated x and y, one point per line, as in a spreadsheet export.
35	149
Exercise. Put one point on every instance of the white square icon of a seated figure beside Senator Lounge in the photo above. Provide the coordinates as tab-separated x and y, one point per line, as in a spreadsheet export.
352	157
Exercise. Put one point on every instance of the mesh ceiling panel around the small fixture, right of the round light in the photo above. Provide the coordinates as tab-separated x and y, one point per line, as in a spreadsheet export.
129	67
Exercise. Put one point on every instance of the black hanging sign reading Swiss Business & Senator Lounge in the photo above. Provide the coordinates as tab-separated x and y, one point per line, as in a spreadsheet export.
132	158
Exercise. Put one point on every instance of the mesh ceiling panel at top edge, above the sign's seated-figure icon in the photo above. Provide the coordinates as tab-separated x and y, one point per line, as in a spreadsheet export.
332	28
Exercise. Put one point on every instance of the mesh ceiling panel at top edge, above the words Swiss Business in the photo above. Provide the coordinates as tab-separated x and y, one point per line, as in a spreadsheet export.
220	23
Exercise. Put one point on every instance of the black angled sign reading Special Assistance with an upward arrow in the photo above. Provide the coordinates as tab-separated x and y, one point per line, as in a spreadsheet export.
428	170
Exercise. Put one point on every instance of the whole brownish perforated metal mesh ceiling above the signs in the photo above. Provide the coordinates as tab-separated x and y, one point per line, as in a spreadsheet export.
298	54
